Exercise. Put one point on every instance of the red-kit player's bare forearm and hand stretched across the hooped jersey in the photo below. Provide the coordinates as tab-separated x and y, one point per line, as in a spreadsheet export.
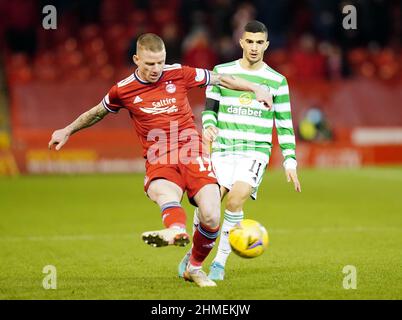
261	92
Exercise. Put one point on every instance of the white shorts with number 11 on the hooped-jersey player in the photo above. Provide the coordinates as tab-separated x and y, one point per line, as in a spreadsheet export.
238	167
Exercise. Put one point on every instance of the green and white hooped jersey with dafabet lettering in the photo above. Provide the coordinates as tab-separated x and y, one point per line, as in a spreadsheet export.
245	125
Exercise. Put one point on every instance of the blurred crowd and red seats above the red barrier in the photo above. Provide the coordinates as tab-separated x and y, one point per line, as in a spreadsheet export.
97	37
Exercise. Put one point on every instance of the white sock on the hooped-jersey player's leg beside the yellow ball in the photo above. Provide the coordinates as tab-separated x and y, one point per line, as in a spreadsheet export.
229	221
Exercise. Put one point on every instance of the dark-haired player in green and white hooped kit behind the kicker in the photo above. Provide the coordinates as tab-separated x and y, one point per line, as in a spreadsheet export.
240	129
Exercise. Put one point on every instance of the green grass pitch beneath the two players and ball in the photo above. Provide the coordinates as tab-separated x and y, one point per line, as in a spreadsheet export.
89	228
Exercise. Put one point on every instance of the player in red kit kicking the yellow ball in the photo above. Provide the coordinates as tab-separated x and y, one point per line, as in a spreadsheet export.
156	97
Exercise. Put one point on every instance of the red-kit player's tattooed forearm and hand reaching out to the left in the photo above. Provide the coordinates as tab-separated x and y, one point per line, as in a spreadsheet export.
87	119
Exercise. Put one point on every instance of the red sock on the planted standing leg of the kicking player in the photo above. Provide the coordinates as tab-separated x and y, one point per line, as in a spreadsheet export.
203	242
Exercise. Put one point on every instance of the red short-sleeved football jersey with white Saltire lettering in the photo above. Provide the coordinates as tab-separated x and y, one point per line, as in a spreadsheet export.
161	106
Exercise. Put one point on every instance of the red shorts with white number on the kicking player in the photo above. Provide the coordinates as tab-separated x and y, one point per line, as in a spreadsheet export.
189	177
